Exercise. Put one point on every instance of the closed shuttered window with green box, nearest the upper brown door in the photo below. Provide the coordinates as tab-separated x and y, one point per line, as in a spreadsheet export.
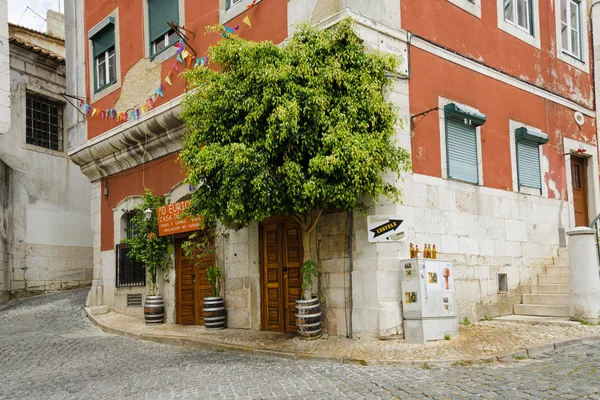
529	170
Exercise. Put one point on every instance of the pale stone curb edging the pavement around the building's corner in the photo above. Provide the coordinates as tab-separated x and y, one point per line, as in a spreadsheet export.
204	344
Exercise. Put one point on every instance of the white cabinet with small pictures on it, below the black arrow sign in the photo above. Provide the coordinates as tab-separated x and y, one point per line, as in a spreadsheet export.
428	303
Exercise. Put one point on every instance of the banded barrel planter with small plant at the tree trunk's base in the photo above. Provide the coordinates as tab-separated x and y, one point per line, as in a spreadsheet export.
308	309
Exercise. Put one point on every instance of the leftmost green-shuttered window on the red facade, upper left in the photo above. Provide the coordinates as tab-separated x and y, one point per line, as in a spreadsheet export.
103	50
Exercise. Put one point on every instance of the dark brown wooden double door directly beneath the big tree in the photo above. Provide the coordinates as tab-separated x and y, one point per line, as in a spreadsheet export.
281	258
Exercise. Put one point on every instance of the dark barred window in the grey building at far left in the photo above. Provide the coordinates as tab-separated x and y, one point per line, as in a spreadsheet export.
44	121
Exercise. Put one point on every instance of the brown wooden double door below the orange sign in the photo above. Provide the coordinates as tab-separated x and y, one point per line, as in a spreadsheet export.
191	286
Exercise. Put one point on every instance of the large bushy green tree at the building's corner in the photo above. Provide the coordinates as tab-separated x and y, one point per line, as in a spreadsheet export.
290	130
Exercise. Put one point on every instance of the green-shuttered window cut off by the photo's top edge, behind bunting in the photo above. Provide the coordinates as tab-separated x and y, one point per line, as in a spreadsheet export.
160	13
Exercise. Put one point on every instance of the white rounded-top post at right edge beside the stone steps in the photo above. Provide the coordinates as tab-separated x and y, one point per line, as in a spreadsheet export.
584	297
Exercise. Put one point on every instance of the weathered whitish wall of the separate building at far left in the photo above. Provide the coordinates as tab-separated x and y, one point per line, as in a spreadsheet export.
50	237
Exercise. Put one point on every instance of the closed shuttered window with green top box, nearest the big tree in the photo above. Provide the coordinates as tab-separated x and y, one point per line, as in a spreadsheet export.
461	142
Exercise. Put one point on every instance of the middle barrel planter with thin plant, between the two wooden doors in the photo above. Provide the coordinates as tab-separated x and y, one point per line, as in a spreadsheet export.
199	247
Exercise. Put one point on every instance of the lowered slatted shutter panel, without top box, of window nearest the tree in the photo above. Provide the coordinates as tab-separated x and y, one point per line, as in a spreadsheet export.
461	151
